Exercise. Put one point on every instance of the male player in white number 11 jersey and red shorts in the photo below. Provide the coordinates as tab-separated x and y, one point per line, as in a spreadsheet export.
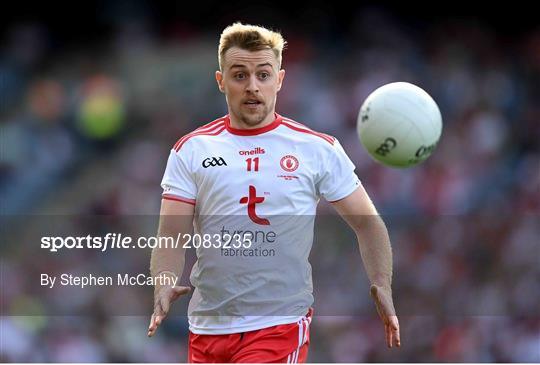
249	184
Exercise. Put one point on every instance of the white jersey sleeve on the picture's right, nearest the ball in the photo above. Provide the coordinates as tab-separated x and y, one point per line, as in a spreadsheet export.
337	178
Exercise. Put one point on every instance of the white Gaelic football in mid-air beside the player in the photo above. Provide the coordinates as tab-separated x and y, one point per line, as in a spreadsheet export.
399	124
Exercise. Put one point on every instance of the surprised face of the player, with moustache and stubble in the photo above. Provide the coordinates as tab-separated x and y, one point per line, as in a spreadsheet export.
250	81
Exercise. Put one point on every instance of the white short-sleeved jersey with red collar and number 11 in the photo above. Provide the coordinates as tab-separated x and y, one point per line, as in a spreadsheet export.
255	194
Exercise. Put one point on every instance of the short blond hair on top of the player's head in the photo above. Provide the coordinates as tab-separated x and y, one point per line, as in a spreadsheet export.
251	38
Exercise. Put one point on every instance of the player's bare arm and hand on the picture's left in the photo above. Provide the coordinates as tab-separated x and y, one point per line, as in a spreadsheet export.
176	217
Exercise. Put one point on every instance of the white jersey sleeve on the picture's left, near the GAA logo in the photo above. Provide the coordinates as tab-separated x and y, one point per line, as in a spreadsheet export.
178	182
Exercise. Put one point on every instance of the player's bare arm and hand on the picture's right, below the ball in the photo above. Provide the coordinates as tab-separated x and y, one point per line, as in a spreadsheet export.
359	212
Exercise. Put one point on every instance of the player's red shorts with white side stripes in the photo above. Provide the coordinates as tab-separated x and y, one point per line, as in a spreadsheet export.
284	343
